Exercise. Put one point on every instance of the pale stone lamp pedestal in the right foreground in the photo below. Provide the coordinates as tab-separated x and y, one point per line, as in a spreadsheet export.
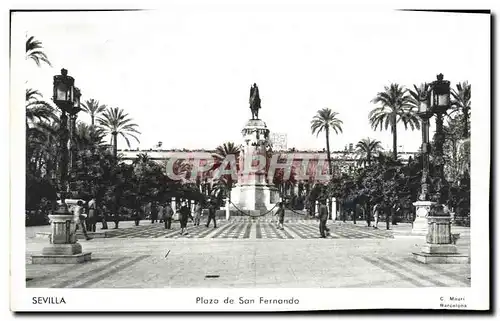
439	247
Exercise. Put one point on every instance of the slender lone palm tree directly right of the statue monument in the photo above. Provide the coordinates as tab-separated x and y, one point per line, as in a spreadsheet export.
326	120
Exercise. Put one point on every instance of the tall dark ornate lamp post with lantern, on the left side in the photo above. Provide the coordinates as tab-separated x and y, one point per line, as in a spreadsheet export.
63	97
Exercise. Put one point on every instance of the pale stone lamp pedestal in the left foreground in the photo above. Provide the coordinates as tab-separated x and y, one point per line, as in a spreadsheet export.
63	247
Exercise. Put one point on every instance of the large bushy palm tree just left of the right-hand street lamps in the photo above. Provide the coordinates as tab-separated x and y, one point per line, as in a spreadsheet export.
396	106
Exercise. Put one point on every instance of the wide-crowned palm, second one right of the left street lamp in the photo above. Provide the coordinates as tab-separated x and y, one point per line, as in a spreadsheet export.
116	122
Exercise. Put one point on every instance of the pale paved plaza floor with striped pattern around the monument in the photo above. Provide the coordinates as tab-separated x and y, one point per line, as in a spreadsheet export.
249	254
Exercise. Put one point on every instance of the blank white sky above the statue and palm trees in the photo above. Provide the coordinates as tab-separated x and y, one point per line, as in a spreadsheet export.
184	74
